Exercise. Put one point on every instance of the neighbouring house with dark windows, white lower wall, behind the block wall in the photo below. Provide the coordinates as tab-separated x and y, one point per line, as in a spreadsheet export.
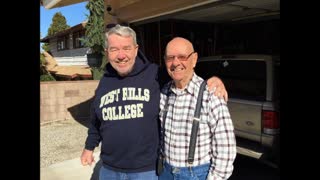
67	52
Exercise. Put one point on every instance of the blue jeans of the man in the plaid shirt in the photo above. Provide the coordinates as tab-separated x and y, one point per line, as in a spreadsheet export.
185	173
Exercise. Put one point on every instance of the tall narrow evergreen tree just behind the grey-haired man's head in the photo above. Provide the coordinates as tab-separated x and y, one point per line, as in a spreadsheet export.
94	36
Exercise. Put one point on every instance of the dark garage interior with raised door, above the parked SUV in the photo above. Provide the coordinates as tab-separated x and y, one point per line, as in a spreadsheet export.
220	27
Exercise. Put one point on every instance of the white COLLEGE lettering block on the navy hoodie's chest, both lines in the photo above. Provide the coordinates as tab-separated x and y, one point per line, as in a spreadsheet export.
128	111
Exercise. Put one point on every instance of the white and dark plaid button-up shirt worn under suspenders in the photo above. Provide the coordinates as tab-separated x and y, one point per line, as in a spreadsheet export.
215	143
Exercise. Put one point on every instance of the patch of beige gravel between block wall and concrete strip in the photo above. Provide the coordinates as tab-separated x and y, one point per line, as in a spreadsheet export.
61	141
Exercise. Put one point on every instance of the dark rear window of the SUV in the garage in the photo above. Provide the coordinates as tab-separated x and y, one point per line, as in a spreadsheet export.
244	79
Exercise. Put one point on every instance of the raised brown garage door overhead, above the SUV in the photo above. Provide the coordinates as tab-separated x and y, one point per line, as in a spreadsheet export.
224	11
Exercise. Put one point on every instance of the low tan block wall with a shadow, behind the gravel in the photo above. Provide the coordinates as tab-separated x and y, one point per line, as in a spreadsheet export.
66	100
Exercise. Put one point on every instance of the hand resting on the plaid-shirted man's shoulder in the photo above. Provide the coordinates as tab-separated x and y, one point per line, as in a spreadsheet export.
216	86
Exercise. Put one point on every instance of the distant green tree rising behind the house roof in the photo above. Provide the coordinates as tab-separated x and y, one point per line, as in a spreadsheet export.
59	23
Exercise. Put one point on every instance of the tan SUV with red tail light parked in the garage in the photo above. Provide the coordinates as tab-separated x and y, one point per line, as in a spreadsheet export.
252	82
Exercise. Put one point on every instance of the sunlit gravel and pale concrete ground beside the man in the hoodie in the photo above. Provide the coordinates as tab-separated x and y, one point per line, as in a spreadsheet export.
61	145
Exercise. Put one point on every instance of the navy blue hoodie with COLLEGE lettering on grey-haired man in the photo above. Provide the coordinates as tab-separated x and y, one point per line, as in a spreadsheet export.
124	117
